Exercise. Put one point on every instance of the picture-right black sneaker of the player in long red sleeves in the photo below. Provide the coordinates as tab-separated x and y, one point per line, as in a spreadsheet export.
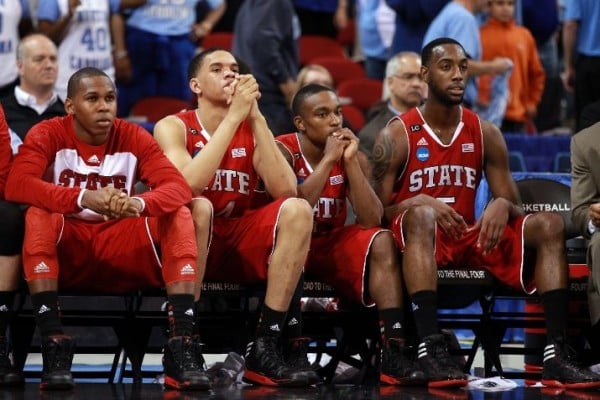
182	371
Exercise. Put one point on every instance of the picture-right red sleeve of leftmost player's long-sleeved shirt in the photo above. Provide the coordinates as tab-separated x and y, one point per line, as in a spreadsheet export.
168	189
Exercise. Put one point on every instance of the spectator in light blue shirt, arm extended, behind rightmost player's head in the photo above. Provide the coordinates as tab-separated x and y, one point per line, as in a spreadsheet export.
457	21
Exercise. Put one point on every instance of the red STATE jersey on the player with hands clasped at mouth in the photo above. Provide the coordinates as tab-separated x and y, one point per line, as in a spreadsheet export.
235	181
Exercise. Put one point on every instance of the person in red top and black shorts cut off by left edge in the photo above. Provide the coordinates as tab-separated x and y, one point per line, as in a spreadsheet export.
11	245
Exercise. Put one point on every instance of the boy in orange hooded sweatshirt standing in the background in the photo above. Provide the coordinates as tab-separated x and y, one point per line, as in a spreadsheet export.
502	37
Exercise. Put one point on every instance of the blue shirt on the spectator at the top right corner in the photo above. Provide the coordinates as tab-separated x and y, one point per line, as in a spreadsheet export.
587	13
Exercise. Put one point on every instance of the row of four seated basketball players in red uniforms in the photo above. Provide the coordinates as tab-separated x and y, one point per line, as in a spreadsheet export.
77	175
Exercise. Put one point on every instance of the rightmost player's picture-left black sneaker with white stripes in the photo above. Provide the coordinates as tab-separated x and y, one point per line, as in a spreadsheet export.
435	360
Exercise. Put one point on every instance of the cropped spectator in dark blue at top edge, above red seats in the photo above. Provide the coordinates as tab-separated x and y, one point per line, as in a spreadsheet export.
322	17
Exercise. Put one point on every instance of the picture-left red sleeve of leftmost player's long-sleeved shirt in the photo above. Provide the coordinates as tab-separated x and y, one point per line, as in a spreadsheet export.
26	182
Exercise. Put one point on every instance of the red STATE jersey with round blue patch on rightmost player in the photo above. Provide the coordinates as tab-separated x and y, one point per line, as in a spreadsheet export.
449	172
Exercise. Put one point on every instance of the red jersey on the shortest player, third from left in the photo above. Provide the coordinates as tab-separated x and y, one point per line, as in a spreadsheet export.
330	211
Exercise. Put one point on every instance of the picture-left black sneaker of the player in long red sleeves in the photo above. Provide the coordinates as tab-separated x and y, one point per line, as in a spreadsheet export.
57	355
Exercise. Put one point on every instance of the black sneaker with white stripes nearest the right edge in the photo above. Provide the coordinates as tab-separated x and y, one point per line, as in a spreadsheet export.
562	370
